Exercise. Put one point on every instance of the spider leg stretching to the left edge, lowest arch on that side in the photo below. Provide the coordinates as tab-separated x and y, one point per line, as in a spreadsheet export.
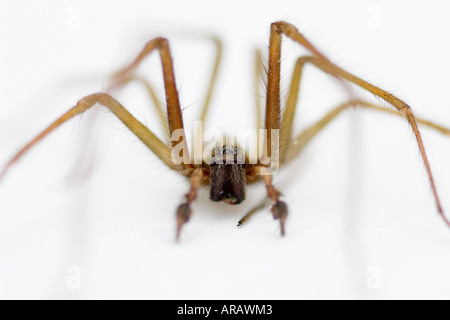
158	147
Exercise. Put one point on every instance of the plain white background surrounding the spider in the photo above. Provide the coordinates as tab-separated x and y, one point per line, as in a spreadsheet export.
362	221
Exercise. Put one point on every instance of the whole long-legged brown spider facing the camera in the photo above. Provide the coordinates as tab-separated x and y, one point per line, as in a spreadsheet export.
230	169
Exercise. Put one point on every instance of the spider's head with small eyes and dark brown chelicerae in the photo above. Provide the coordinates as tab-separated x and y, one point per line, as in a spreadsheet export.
227	175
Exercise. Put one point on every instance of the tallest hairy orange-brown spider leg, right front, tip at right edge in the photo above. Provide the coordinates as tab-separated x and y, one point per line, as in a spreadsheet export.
319	60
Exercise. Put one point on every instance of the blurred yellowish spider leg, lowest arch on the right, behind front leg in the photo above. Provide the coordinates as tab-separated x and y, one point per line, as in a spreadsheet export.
298	143
